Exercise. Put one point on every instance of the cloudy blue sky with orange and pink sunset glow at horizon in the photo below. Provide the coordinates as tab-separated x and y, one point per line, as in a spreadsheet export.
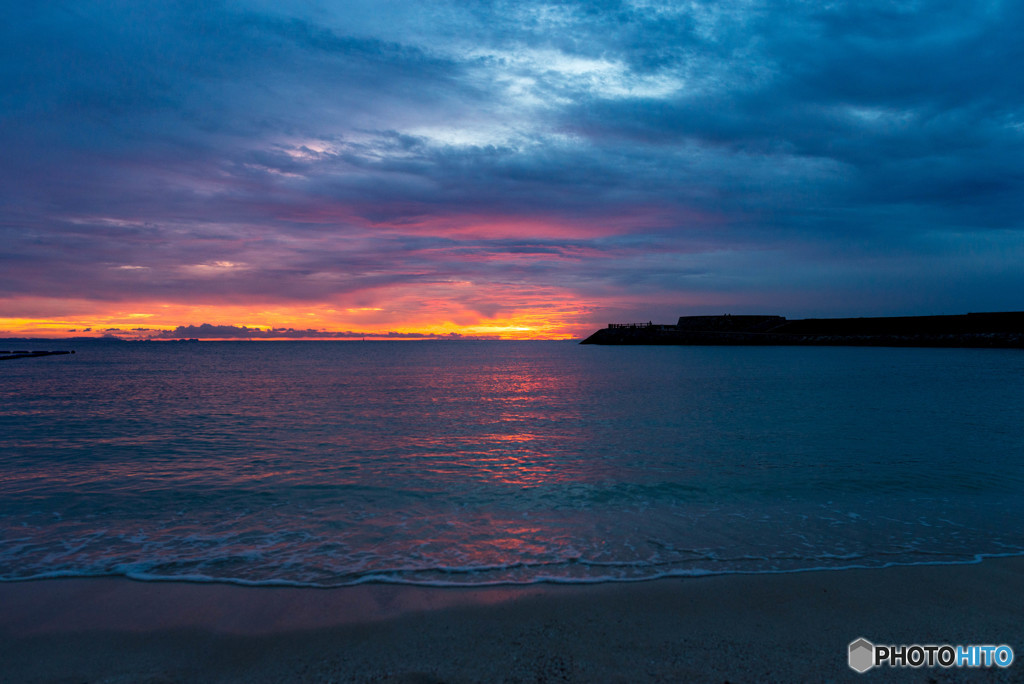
503	169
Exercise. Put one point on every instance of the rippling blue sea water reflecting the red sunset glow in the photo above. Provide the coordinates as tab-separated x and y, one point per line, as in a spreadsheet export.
477	463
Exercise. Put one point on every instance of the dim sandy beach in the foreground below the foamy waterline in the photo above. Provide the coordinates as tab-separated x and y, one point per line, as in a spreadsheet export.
767	628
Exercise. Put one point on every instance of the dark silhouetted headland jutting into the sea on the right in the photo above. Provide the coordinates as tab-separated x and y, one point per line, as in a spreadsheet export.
1004	329
